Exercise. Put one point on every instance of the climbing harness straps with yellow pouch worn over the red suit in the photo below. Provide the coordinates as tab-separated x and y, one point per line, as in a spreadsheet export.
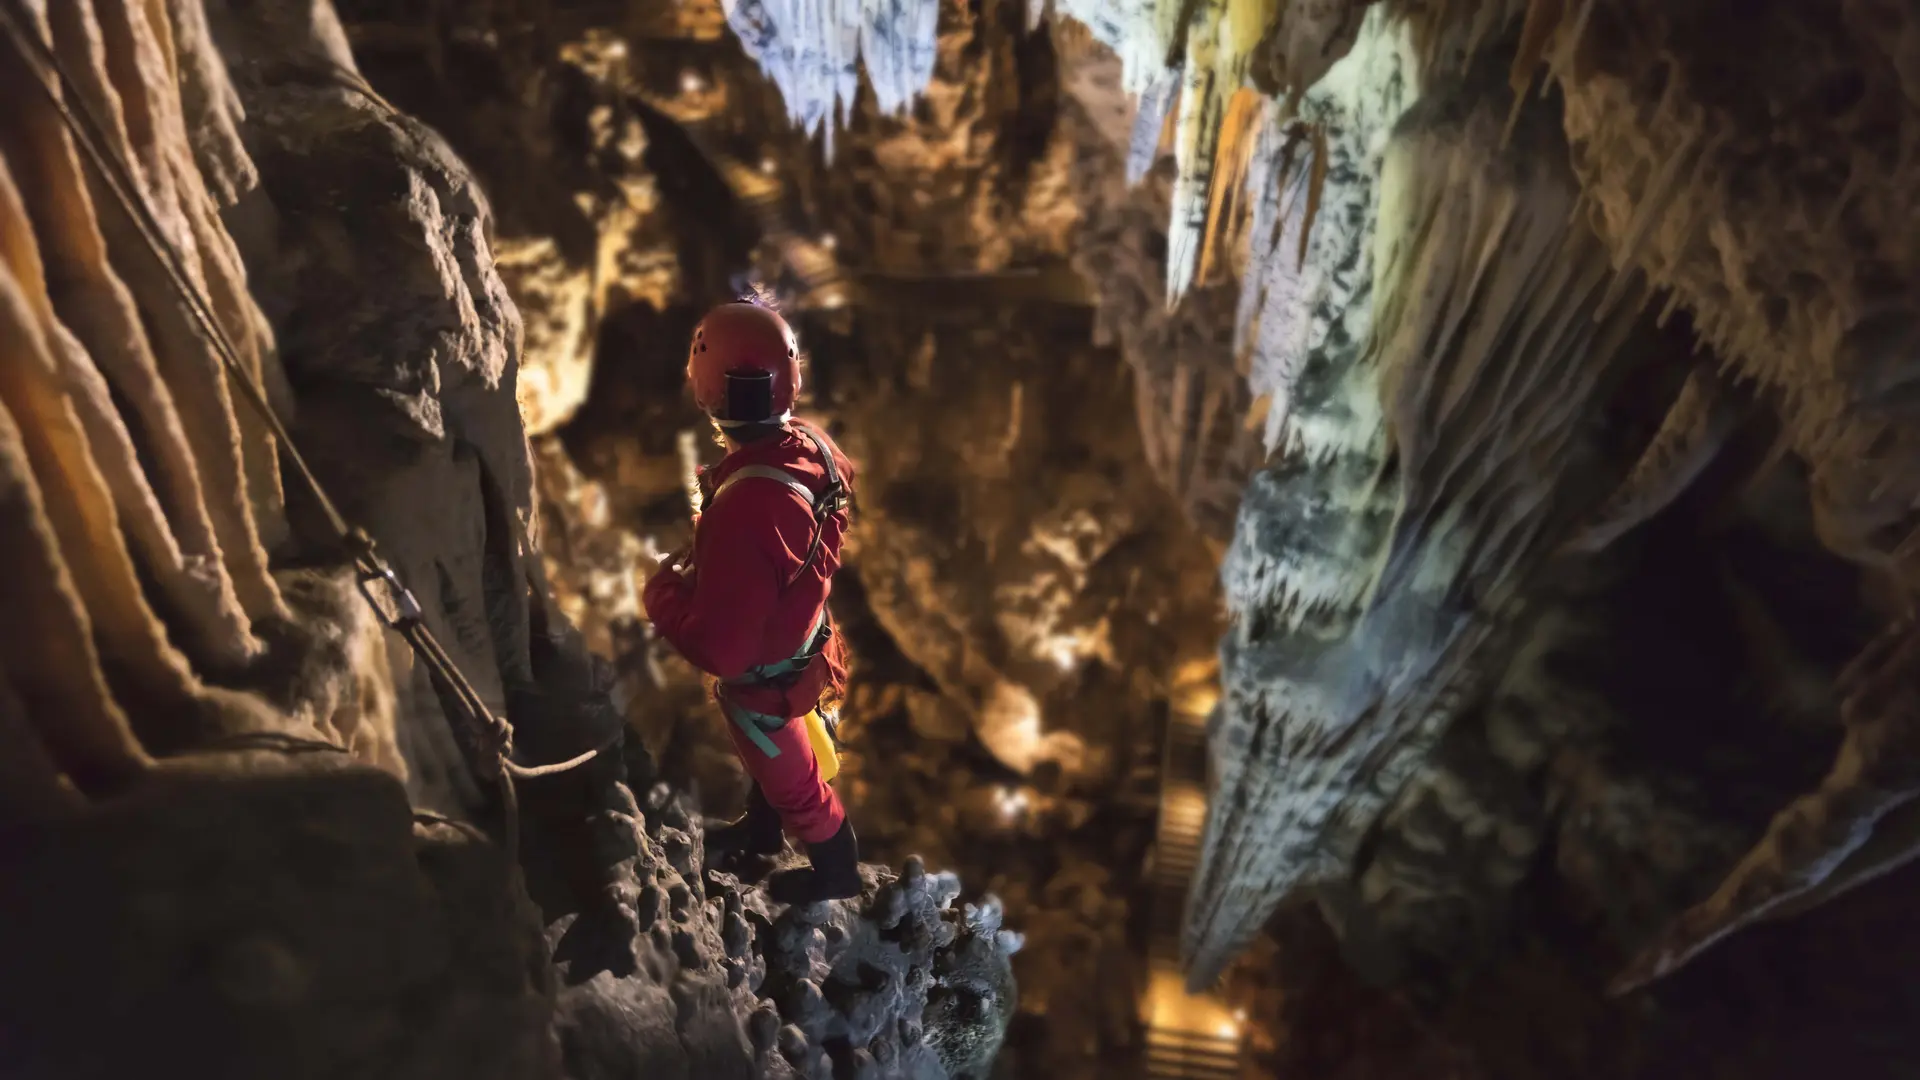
821	725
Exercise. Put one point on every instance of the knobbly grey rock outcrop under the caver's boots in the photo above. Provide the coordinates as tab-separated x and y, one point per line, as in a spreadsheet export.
721	983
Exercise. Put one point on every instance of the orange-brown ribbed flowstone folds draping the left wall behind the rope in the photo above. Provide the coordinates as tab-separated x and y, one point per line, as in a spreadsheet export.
130	627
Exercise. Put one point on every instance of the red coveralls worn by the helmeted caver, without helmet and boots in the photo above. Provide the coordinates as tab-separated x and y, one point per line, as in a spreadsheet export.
734	612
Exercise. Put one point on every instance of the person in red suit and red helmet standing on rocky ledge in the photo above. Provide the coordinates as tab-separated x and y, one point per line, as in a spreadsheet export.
750	606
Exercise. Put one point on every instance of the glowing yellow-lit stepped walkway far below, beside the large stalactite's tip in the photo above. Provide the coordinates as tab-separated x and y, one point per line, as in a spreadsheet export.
1189	1037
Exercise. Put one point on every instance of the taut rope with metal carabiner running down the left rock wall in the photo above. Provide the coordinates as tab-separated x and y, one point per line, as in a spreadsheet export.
377	581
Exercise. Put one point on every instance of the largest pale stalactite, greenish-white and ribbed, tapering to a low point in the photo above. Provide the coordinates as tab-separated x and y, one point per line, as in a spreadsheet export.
1489	345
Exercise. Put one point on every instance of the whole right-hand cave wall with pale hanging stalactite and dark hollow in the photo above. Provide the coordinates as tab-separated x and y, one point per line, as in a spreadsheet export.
1516	677
